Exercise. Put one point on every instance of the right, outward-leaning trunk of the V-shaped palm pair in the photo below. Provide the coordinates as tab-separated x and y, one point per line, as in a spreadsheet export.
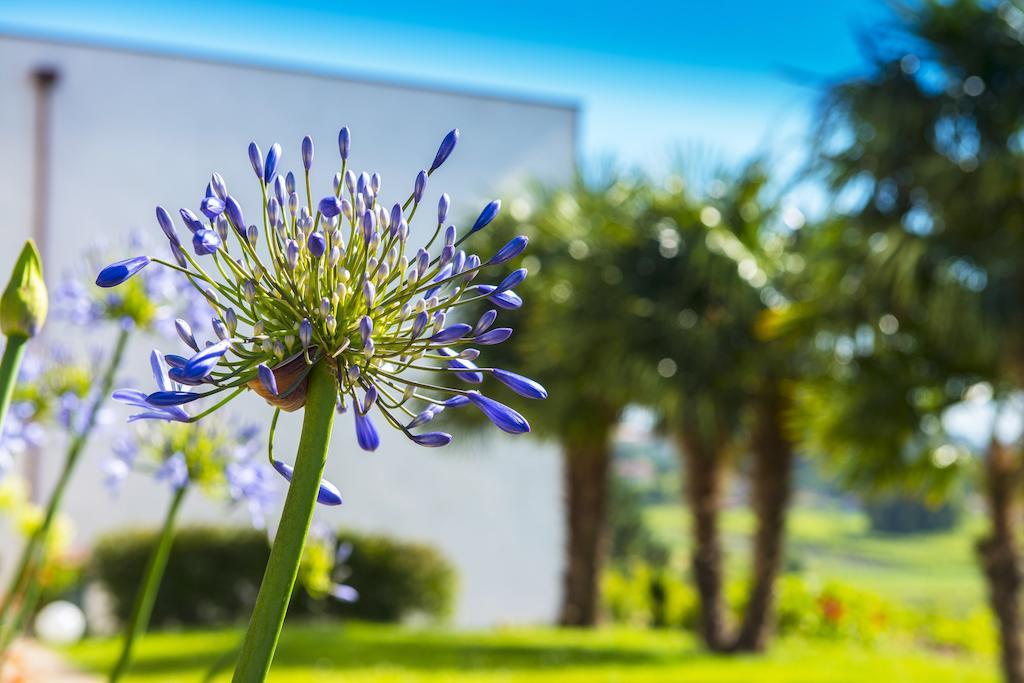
773	483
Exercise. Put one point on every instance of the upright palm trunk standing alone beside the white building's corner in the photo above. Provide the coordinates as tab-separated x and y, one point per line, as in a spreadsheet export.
586	491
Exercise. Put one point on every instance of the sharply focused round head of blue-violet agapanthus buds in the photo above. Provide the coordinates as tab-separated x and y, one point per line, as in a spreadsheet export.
334	279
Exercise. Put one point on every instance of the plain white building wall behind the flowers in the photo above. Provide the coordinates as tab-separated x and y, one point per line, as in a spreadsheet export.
132	131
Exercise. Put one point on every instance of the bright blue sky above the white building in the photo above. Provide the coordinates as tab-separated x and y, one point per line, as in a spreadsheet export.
729	78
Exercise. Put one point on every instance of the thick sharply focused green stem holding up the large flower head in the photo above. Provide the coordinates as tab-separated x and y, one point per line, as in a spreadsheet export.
283	568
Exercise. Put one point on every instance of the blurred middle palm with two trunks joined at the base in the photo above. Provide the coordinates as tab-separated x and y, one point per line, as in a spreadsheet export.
711	263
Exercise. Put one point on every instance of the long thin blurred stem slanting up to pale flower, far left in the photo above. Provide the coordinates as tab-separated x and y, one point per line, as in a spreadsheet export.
33	554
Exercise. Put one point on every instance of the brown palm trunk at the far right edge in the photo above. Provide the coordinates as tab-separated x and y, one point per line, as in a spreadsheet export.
998	554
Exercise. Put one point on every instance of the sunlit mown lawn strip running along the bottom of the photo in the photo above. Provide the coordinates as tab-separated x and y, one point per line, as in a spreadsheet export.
371	654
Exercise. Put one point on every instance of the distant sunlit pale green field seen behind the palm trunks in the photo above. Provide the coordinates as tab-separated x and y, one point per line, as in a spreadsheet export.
936	571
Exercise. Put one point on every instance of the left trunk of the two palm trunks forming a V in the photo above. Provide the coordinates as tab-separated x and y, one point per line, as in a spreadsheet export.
705	475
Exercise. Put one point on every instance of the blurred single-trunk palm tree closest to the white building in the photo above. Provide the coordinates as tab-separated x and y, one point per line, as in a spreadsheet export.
574	337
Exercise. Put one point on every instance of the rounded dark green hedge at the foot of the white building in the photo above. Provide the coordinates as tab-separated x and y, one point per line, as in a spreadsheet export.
214	576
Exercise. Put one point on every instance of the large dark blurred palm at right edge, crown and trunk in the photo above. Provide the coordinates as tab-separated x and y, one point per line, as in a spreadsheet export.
925	156
